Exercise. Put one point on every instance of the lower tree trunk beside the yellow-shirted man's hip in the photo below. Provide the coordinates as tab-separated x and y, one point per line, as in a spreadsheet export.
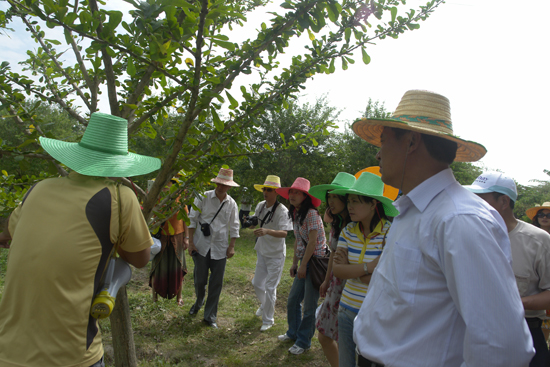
121	329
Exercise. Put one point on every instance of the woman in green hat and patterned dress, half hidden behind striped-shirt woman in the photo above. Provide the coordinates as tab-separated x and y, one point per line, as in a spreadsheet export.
327	318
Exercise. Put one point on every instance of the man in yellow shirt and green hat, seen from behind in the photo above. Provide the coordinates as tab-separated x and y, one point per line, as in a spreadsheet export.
64	232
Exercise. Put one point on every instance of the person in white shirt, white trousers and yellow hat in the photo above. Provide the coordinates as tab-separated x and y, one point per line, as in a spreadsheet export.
270	247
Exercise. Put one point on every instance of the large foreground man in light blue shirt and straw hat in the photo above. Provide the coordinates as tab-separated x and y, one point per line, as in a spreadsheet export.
443	293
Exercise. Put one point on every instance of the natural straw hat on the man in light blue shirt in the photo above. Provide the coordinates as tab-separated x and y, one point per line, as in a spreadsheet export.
424	112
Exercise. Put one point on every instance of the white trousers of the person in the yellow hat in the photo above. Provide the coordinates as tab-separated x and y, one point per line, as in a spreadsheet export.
266	279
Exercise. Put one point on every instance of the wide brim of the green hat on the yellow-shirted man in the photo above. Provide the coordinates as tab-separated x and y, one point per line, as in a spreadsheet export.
96	163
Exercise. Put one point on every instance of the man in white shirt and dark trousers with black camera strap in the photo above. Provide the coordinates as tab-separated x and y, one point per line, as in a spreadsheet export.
209	229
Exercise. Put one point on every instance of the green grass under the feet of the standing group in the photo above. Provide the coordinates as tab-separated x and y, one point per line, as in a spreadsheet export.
166	335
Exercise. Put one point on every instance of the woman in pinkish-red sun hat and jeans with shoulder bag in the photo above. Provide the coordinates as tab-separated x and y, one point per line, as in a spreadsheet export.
310	241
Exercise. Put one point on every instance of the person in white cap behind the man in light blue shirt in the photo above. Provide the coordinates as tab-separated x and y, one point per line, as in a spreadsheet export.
530	255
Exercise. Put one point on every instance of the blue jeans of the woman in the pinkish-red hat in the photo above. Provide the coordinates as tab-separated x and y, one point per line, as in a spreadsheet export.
302	328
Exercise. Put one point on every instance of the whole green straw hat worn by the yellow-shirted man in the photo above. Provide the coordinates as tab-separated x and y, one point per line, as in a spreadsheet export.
103	150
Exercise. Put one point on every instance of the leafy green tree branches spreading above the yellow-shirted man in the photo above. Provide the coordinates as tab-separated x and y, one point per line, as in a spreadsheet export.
178	58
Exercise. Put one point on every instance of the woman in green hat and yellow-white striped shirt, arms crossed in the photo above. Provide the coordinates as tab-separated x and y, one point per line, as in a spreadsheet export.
359	248
